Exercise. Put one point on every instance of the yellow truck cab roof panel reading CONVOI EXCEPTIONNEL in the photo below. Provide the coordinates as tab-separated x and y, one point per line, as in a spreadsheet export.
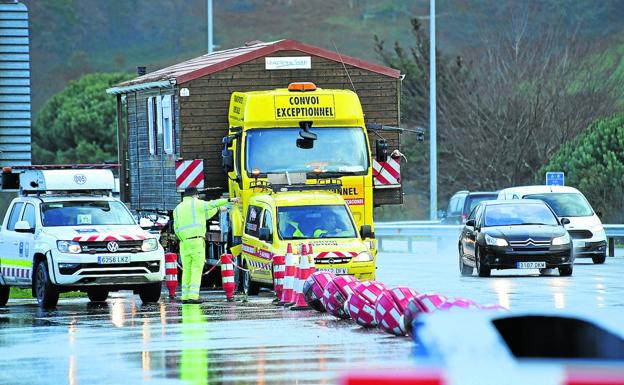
284	108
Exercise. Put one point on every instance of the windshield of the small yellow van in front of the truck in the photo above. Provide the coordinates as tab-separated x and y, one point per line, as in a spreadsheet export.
327	221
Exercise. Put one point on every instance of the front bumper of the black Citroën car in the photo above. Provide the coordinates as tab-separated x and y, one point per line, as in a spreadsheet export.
505	258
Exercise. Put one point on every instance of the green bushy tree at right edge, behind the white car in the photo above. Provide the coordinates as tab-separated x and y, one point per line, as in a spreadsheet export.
594	163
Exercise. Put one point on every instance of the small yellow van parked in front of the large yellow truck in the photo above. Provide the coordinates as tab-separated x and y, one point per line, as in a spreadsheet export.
318	218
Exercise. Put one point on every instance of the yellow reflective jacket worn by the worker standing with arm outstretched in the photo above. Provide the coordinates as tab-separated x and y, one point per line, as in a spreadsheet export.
190	216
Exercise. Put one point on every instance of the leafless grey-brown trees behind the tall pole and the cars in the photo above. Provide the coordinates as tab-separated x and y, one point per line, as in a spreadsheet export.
503	108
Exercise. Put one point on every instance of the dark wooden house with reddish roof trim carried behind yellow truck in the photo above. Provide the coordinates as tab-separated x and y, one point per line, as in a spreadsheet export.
181	112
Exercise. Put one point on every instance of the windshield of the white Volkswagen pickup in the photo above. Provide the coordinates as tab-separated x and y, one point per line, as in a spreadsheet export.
85	213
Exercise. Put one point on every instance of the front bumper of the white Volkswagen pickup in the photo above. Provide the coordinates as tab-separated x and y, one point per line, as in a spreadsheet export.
84	269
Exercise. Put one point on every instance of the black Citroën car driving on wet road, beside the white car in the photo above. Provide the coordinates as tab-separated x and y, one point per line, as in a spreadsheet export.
514	234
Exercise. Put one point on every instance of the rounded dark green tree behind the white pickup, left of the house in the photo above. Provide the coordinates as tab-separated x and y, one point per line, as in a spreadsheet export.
78	125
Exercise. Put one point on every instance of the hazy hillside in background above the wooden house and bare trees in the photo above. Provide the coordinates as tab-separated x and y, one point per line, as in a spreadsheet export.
74	37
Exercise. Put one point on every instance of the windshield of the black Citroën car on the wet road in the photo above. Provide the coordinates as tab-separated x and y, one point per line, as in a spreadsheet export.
518	214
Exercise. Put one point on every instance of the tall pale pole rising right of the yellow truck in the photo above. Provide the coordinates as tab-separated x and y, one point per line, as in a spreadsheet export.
433	144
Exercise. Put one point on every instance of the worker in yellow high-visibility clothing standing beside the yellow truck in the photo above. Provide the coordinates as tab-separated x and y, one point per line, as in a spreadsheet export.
189	224
